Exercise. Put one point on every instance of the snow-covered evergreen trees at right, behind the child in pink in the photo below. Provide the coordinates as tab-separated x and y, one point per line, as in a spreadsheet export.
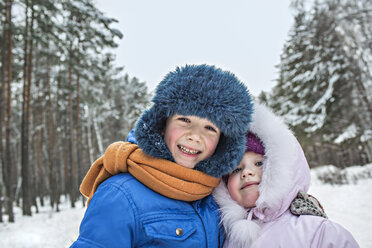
324	87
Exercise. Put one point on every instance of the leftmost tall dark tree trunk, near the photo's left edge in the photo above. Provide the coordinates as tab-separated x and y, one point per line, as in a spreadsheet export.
8	171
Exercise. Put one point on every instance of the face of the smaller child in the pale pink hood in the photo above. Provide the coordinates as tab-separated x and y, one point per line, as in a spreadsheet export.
244	180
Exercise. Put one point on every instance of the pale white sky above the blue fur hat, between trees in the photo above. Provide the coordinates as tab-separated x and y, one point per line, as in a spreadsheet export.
243	36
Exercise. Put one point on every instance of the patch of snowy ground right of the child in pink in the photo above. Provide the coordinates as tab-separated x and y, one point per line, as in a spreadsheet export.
349	204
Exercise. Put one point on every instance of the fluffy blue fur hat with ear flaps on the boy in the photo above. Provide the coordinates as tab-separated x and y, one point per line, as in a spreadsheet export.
207	92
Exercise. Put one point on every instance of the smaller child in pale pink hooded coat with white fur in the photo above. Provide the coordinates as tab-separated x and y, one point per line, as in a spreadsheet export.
255	199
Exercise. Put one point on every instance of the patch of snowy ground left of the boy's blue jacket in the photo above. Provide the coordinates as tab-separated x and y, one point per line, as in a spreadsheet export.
45	229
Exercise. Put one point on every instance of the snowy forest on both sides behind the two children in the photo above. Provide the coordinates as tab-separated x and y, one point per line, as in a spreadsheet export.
63	99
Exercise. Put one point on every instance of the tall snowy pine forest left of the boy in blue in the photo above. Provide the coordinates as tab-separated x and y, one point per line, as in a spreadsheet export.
62	99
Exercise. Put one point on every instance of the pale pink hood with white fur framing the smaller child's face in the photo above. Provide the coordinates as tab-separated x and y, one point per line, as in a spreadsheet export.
285	173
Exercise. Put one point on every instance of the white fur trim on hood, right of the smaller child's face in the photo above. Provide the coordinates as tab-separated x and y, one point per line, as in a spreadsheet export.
279	165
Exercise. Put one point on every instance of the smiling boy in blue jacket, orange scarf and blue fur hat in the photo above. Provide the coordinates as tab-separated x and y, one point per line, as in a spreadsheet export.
193	134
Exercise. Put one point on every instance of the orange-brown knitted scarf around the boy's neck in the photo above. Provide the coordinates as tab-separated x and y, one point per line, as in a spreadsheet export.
162	176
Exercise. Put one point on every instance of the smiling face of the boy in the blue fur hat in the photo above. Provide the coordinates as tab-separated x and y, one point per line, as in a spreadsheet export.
190	139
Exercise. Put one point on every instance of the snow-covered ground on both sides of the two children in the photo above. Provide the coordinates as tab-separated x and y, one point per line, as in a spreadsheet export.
349	205
